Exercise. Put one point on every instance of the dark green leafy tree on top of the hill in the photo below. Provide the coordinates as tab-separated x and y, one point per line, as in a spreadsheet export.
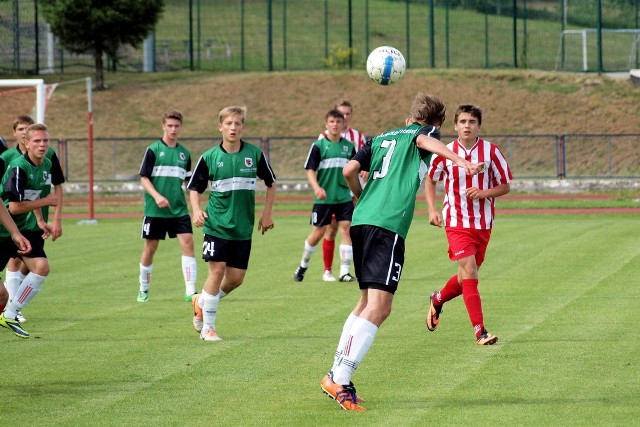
101	26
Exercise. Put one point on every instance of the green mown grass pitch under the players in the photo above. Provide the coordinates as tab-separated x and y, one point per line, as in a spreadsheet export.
561	292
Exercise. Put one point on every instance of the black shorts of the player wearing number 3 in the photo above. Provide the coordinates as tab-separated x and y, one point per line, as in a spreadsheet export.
378	257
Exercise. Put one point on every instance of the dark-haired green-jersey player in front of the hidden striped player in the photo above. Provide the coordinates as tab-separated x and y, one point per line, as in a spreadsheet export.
327	156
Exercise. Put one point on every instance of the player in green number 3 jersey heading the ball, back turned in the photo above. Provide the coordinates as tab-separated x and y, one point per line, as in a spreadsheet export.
397	163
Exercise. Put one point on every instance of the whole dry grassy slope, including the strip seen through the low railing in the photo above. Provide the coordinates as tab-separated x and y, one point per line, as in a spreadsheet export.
294	104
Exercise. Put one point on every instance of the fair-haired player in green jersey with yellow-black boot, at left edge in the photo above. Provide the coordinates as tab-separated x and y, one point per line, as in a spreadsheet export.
22	185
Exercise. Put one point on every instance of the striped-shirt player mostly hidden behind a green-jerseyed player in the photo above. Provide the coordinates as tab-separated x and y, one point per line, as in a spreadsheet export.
358	139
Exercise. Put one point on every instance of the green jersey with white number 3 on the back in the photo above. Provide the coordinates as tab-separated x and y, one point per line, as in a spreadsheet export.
396	168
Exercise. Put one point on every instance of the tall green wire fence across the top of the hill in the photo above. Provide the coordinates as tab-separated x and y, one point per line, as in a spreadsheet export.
266	35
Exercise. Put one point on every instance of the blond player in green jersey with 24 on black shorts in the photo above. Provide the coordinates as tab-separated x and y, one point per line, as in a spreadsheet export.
232	168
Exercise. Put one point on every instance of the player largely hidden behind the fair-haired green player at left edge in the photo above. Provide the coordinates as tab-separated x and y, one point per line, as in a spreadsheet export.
16	270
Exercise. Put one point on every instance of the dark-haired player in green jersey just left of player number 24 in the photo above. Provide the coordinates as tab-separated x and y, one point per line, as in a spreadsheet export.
165	167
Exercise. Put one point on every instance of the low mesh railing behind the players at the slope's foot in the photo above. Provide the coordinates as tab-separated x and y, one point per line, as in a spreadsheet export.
530	156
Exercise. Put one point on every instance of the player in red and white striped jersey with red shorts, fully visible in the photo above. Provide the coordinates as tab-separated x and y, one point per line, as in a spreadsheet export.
468	213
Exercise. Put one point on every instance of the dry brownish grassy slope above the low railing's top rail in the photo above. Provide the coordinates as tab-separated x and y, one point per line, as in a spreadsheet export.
294	103
